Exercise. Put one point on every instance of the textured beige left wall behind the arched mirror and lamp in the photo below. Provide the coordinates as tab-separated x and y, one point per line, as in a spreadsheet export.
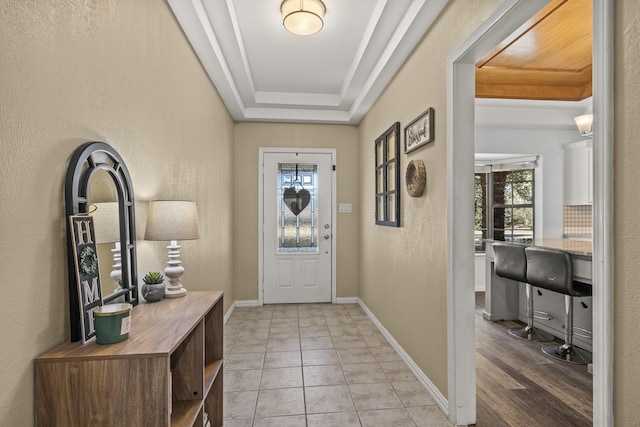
115	71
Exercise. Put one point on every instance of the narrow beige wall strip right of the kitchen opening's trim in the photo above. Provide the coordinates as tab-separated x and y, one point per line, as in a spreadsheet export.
627	214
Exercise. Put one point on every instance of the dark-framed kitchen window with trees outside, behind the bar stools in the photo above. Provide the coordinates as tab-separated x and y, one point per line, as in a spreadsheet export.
504	205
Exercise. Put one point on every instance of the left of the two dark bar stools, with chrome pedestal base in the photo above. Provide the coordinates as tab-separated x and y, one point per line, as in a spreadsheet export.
511	263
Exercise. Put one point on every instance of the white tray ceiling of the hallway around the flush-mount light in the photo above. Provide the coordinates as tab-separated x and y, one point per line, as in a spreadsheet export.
264	73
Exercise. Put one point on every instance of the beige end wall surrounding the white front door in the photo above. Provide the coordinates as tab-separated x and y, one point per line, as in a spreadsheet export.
249	137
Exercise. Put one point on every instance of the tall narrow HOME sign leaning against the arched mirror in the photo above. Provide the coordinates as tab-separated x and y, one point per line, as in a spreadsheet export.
87	271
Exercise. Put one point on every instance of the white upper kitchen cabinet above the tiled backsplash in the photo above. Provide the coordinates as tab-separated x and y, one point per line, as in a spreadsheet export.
578	173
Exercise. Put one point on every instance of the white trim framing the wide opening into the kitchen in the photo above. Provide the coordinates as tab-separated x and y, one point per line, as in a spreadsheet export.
460	150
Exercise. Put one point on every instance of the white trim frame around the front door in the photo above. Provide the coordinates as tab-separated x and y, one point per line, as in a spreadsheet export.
261	152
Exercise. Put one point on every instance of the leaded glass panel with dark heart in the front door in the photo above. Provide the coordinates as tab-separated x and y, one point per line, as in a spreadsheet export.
297	215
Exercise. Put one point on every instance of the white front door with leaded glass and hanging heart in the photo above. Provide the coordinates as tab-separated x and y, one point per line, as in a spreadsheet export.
297	227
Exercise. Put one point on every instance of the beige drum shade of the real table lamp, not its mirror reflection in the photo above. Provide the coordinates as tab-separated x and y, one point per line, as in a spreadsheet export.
172	220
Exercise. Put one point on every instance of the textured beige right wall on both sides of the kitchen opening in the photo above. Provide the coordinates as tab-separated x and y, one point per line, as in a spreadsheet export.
409	297
